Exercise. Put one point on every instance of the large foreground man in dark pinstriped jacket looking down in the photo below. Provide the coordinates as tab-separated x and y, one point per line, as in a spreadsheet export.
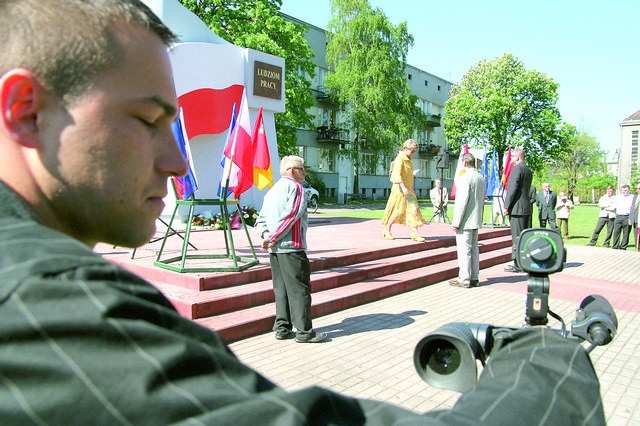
86	104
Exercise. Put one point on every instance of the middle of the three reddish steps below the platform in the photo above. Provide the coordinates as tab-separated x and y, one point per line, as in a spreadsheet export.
194	304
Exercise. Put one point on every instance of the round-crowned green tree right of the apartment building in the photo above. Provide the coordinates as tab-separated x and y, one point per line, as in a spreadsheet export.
499	104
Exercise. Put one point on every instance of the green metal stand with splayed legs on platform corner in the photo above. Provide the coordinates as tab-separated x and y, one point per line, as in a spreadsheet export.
178	263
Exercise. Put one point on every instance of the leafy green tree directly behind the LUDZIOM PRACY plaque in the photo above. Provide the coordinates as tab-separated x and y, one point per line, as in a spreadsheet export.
256	24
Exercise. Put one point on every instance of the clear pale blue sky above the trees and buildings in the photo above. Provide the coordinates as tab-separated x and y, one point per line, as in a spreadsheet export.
590	48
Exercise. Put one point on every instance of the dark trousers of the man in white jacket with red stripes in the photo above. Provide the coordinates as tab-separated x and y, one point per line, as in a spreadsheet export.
291	274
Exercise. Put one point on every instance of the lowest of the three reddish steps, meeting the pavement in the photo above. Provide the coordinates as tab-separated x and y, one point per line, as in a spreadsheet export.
248	322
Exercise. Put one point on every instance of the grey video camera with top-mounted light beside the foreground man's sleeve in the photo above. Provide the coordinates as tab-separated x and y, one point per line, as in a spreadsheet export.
447	358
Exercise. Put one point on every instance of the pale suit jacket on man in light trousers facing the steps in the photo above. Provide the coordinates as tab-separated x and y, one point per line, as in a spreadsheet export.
469	205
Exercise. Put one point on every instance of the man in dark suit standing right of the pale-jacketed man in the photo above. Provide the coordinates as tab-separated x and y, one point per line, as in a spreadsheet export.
517	204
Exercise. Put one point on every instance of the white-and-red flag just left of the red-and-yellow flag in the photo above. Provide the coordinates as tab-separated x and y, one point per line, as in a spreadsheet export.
239	150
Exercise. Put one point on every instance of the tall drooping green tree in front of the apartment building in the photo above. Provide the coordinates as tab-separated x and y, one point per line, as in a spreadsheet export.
367	55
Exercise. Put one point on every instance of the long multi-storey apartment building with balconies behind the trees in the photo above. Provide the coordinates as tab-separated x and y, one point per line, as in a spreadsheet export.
320	146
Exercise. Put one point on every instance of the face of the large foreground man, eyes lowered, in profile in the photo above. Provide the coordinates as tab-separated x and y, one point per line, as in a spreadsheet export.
108	154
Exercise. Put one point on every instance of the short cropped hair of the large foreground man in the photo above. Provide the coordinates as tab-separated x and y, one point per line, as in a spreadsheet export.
67	43
